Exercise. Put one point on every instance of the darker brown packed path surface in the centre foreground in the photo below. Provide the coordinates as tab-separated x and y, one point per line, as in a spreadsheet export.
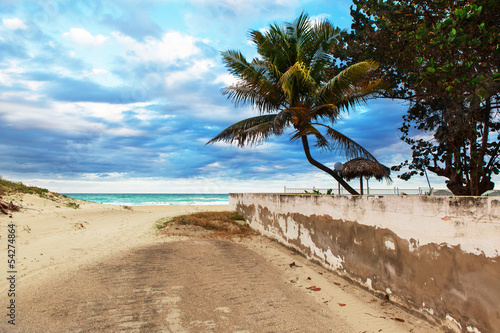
177	287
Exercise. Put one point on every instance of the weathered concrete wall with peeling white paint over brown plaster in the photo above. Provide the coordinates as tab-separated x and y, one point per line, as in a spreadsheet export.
436	255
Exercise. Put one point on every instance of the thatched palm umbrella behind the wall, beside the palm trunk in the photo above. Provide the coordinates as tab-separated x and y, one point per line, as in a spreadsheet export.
361	167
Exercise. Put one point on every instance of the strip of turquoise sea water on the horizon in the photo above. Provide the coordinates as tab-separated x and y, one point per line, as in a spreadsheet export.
124	199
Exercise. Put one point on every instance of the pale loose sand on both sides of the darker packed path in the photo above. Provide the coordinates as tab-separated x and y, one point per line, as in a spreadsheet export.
53	241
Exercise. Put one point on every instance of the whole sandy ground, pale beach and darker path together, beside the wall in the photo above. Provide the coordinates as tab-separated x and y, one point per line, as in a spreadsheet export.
104	268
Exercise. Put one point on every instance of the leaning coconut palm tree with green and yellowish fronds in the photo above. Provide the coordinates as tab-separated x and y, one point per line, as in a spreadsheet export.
287	83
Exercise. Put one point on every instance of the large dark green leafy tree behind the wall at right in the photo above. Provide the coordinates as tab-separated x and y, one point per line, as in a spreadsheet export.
443	57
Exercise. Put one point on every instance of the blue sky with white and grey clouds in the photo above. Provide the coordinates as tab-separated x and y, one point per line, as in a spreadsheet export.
122	96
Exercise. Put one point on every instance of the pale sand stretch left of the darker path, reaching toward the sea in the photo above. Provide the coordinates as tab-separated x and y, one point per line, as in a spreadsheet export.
55	239
